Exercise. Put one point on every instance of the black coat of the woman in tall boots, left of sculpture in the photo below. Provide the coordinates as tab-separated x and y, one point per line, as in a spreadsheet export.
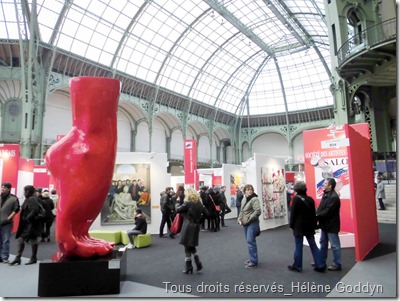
29	226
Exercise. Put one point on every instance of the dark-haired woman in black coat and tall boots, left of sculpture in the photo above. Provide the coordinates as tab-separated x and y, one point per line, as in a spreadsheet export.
29	227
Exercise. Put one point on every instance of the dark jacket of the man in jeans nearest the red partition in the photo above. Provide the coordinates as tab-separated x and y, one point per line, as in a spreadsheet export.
328	212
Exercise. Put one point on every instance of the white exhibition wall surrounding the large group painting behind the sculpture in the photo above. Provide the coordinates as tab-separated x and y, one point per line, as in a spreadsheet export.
159	179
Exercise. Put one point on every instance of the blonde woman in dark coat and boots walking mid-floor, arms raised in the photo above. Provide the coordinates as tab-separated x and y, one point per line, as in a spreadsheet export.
192	210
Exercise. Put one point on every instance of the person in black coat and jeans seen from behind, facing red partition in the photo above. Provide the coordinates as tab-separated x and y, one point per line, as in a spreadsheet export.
303	222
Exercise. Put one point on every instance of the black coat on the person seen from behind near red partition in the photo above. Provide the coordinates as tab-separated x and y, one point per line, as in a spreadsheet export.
303	220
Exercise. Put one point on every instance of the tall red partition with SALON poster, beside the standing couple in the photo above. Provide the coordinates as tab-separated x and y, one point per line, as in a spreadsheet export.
344	152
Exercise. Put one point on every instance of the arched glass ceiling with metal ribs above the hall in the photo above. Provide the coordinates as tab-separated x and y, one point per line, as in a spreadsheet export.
240	56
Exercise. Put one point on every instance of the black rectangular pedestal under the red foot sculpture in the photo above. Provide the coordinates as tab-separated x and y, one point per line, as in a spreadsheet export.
82	276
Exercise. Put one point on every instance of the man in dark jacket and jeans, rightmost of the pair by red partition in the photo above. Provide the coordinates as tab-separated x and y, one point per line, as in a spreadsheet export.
328	215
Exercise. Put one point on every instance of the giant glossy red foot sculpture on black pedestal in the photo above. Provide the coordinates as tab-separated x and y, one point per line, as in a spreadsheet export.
82	164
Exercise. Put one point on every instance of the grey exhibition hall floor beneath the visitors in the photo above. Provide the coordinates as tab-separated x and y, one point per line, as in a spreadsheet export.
157	271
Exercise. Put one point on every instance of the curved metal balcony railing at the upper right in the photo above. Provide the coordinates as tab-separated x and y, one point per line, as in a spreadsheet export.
372	36
